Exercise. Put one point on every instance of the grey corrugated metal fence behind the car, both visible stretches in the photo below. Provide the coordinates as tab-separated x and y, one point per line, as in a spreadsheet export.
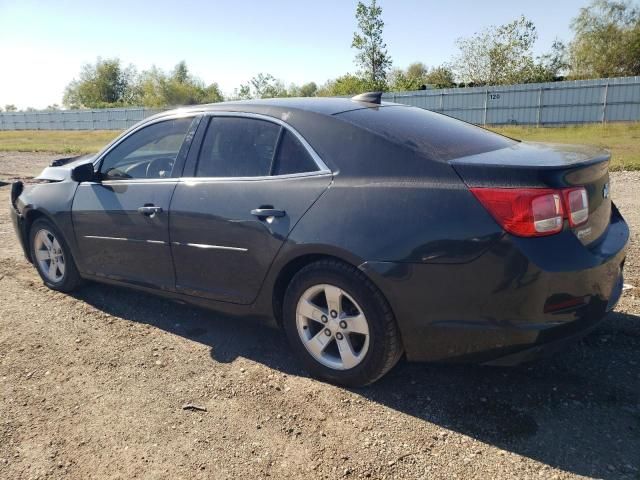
555	103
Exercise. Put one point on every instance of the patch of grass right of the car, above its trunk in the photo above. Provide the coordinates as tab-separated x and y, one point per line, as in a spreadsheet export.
622	139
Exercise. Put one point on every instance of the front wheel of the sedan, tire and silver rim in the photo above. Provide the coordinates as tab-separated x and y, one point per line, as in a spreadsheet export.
65	276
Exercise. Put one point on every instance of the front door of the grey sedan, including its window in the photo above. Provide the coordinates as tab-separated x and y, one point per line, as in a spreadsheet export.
121	221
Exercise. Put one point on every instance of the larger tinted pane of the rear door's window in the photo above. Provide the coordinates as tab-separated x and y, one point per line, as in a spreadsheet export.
237	147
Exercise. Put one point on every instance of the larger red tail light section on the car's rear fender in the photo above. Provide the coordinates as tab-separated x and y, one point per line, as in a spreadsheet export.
526	212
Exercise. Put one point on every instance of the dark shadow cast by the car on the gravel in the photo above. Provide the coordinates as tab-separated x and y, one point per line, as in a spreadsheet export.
579	411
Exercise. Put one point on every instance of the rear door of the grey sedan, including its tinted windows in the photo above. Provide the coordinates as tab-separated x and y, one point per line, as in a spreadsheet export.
253	180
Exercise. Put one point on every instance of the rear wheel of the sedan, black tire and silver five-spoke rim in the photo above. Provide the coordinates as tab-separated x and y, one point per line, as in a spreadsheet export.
339	348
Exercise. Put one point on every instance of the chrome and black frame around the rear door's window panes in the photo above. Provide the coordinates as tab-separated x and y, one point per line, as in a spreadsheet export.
192	164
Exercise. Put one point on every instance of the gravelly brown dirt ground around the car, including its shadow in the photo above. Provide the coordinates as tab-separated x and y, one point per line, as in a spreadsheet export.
93	385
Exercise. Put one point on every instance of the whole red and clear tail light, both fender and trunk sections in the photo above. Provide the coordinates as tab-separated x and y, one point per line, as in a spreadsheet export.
534	212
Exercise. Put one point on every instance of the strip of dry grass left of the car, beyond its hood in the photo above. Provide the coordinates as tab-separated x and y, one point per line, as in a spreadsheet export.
56	141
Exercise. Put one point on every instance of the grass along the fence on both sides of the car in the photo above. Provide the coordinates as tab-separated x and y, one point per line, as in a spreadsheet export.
623	139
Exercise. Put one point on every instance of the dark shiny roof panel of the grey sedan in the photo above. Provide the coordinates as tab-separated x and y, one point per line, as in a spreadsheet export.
320	105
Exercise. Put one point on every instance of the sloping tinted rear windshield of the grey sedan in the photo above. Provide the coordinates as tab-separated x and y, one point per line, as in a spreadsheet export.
437	136
